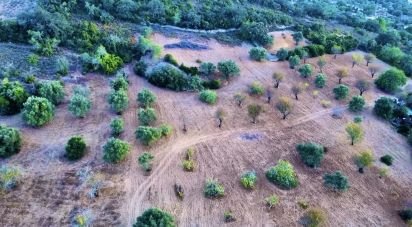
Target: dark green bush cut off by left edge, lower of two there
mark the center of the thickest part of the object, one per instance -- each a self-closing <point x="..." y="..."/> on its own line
<point x="10" y="141"/>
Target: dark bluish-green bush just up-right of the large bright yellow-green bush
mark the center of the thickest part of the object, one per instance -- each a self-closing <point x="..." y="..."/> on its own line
<point x="311" y="153"/>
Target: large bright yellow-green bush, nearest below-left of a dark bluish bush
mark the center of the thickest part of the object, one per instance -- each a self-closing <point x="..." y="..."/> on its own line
<point x="283" y="175"/>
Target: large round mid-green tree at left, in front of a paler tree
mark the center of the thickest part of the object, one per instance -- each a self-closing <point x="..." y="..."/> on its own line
<point x="37" y="111"/>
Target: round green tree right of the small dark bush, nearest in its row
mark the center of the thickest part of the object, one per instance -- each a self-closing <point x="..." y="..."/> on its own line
<point x="115" y="150"/>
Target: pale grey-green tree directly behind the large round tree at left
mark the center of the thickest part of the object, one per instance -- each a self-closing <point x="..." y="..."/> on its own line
<point x="51" y="90"/>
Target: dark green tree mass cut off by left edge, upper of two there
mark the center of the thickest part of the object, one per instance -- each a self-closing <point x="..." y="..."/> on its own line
<point x="12" y="97"/>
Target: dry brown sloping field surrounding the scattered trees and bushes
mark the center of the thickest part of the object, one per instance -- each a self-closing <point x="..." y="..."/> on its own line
<point x="51" y="191"/>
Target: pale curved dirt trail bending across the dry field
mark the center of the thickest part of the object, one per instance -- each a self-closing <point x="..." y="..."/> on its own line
<point x="173" y="148"/>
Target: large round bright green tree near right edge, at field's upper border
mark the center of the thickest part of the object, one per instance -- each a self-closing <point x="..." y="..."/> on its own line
<point x="391" y="80"/>
